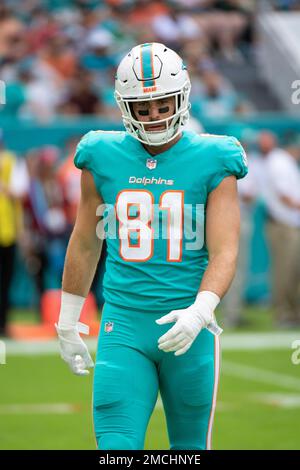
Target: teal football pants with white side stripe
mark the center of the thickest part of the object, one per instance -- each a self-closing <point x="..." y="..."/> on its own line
<point x="129" y="372"/>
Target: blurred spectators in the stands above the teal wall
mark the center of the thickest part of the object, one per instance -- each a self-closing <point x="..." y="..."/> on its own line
<point x="59" y="57"/>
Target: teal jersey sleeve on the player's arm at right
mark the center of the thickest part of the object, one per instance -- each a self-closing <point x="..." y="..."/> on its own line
<point x="231" y="159"/>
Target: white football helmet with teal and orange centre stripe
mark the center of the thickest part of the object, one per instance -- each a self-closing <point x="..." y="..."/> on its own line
<point x="153" y="71"/>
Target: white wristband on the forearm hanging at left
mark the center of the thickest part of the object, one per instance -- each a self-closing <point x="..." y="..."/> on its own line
<point x="70" y="310"/>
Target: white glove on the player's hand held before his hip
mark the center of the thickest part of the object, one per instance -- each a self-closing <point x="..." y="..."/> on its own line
<point x="189" y="323"/>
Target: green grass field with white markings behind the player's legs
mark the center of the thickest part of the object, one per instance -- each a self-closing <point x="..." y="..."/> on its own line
<point x="43" y="406"/>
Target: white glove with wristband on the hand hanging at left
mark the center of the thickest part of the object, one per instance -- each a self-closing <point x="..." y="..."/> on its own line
<point x="72" y="349"/>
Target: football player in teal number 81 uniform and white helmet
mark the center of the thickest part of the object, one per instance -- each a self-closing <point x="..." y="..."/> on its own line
<point x="161" y="286"/>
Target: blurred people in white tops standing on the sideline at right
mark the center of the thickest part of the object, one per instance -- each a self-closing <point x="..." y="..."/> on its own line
<point x="273" y="182"/>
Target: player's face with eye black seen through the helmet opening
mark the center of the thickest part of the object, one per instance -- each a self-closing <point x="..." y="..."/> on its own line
<point x="154" y="110"/>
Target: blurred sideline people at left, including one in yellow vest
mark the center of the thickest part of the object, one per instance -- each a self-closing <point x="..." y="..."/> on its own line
<point x="38" y="205"/>
